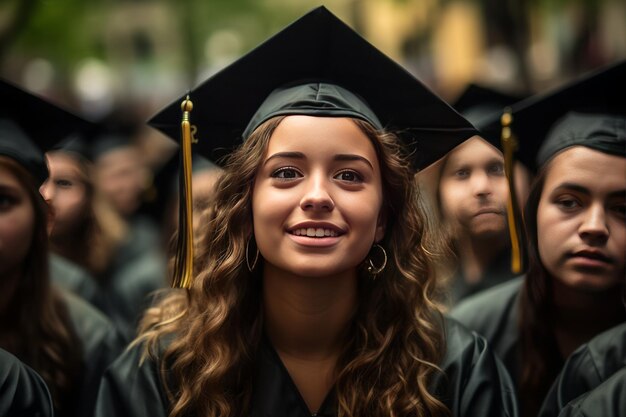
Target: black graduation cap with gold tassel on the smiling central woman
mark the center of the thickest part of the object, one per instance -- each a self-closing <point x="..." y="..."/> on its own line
<point x="316" y="66"/>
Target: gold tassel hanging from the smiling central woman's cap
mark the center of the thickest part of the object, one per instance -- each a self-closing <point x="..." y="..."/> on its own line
<point x="183" y="263"/>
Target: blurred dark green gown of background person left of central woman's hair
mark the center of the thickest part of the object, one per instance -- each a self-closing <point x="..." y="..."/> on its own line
<point x="137" y="271"/>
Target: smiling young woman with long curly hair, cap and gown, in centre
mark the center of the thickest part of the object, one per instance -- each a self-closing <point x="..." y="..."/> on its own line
<point x="312" y="293"/>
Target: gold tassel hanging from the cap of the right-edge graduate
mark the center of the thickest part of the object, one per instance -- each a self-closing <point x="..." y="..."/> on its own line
<point x="509" y="146"/>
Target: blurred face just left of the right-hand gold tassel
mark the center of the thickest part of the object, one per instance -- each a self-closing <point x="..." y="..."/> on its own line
<point x="473" y="189"/>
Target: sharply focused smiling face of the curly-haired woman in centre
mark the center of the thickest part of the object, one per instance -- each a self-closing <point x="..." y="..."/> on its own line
<point x="317" y="197"/>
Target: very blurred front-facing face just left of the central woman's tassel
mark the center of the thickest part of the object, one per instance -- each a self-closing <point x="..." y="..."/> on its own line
<point x="121" y="175"/>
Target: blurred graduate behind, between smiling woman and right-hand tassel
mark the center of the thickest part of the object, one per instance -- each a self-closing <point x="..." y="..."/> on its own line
<point x="468" y="194"/>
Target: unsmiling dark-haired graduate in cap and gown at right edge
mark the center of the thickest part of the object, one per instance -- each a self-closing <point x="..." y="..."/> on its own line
<point x="576" y="230"/>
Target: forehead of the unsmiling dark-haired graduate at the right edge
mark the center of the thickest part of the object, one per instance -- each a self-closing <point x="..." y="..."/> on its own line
<point x="592" y="169"/>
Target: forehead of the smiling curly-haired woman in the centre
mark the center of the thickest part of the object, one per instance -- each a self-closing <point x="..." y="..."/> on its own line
<point x="319" y="136"/>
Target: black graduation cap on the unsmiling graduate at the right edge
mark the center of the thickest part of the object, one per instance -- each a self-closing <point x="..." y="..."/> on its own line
<point x="562" y="117"/>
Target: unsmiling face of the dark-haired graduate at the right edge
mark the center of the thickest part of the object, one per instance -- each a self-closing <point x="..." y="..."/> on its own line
<point x="581" y="225"/>
